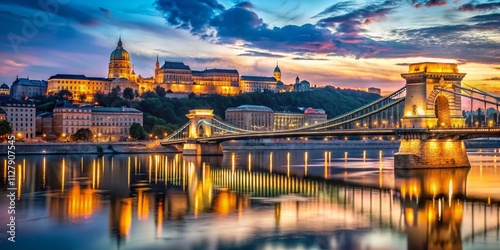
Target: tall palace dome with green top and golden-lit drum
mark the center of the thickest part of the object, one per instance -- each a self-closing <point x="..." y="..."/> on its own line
<point x="119" y="62"/>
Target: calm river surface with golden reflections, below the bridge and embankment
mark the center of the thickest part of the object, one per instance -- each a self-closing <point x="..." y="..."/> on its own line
<point x="254" y="200"/>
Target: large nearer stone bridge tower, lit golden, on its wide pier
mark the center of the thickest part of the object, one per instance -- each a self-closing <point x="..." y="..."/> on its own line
<point x="427" y="107"/>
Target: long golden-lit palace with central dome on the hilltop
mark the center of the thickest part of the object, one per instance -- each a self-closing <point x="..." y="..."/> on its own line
<point x="175" y="77"/>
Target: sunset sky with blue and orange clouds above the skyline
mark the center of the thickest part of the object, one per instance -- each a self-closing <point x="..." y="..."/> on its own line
<point x="349" y="44"/>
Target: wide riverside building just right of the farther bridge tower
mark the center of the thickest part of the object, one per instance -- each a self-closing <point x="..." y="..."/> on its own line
<point x="251" y="117"/>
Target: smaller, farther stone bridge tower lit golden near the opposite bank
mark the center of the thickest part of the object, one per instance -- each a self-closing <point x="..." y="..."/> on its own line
<point x="200" y="121"/>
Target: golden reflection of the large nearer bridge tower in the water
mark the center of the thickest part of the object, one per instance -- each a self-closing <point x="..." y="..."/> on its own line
<point x="432" y="202"/>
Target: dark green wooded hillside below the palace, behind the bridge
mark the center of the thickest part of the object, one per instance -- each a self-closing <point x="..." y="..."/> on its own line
<point x="162" y="111"/>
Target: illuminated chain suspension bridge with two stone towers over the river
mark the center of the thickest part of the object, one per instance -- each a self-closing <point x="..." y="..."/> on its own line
<point x="426" y="114"/>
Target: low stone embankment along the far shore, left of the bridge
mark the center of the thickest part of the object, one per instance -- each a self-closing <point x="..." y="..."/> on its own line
<point x="88" y="148"/>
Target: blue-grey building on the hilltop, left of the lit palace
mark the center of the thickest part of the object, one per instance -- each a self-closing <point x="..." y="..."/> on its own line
<point x="24" y="87"/>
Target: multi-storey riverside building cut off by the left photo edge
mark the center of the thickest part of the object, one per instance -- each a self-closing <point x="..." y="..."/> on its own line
<point x="21" y="116"/>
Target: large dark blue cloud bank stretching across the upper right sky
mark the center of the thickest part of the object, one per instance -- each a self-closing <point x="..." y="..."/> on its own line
<point x="340" y="31"/>
